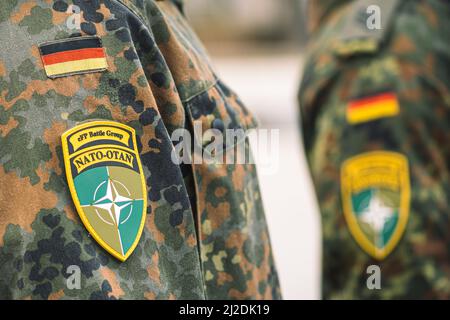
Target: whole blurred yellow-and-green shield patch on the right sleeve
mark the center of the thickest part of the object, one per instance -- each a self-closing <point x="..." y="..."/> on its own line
<point x="375" y="190"/>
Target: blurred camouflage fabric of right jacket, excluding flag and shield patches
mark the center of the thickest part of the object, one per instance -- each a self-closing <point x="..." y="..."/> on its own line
<point x="410" y="58"/>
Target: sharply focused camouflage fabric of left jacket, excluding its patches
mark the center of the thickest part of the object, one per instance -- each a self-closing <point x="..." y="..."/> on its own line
<point x="205" y="233"/>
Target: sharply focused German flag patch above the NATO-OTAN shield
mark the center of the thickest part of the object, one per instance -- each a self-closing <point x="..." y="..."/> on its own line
<point x="73" y="56"/>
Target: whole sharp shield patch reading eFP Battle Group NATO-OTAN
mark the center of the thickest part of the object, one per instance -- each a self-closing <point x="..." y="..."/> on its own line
<point x="107" y="184"/>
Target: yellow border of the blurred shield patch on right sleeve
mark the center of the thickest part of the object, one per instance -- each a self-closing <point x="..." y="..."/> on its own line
<point x="405" y="194"/>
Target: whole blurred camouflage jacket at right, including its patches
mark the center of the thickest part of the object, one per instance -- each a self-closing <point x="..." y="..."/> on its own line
<point x="375" y="115"/>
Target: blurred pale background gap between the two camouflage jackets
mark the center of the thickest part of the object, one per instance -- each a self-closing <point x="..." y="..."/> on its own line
<point x="257" y="48"/>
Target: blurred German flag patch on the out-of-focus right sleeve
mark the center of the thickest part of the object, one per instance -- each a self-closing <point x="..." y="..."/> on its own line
<point x="372" y="108"/>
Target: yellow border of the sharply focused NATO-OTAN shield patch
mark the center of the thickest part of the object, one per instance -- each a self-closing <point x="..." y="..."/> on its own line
<point x="74" y="195"/>
